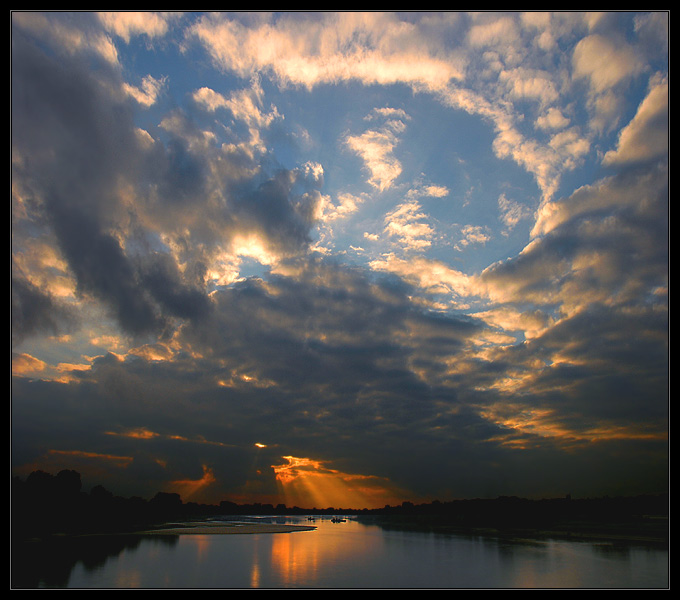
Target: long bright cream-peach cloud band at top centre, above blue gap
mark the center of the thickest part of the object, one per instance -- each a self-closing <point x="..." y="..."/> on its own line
<point x="331" y="47"/>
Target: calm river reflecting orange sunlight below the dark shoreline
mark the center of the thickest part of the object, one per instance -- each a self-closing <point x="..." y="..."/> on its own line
<point x="345" y="555"/>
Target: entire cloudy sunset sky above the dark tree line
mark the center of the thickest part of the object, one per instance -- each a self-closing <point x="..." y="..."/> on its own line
<point x="341" y="259"/>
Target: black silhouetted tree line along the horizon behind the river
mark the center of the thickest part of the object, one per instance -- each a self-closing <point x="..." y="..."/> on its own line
<point x="45" y="504"/>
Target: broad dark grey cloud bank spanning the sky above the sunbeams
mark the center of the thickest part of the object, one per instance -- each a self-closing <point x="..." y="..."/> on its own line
<point x="324" y="362"/>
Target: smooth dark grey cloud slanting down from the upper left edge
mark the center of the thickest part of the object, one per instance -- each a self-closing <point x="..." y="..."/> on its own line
<point x="74" y="144"/>
